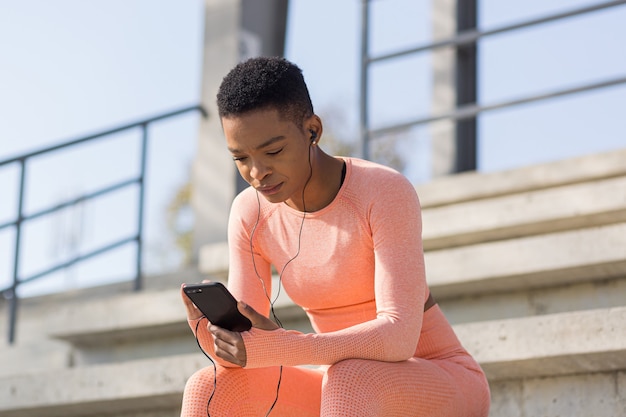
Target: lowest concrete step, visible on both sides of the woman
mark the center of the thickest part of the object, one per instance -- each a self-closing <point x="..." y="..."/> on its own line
<point x="511" y="352"/>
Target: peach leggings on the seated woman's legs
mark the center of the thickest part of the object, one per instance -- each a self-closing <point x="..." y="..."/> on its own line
<point x="353" y="387"/>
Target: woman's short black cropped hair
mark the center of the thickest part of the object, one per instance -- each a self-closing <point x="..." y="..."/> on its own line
<point x="265" y="83"/>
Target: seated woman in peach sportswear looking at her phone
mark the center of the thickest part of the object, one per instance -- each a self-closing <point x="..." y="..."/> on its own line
<point x="345" y="236"/>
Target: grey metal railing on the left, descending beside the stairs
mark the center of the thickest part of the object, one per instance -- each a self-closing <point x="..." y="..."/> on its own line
<point x="10" y="293"/>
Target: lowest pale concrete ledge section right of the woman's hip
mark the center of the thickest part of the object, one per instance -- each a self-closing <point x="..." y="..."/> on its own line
<point x="558" y="344"/>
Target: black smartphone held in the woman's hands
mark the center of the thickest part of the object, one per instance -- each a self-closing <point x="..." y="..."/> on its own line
<point x="218" y="305"/>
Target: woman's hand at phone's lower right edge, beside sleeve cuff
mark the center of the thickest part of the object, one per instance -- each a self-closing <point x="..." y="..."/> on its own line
<point x="229" y="345"/>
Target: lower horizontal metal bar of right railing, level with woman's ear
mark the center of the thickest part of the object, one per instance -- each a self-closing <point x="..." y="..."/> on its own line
<point x="472" y="110"/>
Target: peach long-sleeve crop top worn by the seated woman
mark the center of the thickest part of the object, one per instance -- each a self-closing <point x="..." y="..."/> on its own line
<point x="359" y="274"/>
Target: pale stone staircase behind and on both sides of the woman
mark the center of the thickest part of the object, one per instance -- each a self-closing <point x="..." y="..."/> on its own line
<point x="529" y="265"/>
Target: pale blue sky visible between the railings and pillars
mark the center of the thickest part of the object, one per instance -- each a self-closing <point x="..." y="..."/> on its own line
<point x="73" y="67"/>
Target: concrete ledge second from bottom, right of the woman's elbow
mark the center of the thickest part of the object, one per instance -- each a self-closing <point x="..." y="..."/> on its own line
<point x="530" y="262"/>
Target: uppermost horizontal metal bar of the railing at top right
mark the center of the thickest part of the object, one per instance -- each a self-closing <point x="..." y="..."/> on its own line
<point x="471" y="36"/>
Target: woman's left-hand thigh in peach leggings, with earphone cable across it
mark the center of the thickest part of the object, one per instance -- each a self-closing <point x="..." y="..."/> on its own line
<point x="251" y="392"/>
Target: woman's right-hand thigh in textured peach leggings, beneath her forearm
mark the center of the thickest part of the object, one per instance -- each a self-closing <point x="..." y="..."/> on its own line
<point x="416" y="387"/>
